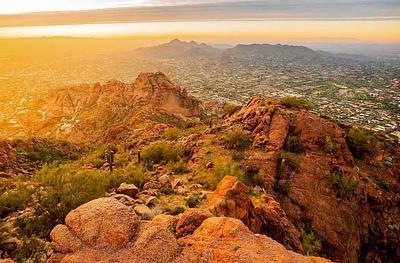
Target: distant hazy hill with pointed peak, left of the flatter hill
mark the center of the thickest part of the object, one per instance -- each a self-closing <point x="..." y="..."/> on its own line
<point x="178" y="49"/>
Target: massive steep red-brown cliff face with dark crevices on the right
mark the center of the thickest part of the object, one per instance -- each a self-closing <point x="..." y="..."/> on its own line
<point x="297" y="153"/>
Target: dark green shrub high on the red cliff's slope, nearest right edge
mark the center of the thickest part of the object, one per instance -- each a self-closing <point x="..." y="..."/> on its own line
<point x="359" y="142"/>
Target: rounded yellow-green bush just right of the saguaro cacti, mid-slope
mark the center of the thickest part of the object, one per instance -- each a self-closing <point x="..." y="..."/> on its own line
<point x="160" y="151"/>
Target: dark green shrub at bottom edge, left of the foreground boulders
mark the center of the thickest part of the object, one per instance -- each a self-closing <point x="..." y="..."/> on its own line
<point x="32" y="250"/>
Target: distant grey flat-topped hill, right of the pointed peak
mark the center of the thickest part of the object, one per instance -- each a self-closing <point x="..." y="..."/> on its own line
<point x="270" y="51"/>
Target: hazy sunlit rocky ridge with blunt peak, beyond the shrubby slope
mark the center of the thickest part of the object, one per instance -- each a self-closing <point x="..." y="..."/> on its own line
<point x="152" y="90"/>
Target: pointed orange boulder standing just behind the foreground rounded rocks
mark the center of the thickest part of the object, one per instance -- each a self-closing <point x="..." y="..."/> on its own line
<point x="231" y="199"/>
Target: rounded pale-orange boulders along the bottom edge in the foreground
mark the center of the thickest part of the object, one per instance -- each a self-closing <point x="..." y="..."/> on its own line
<point x="105" y="230"/>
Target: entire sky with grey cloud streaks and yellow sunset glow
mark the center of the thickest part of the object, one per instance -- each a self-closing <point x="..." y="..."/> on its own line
<point x="375" y="21"/>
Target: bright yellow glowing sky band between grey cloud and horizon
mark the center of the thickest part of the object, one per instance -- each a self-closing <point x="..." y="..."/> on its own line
<point x="385" y="31"/>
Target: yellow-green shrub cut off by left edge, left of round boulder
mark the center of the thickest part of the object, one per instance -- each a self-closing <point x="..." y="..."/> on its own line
<point x="16" y="199"/>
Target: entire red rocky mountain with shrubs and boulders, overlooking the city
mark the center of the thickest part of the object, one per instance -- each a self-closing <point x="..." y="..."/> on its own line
<point x="139" y="173"/>
